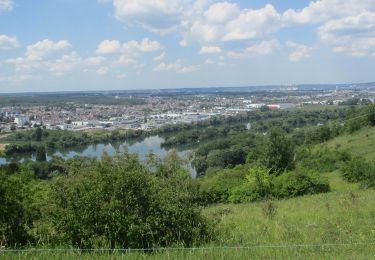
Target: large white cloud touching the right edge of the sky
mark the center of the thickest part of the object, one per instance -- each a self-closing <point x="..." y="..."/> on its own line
<point x="352" y="35"/>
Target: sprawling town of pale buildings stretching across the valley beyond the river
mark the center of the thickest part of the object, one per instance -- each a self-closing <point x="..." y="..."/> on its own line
<point x="155" y="110"/>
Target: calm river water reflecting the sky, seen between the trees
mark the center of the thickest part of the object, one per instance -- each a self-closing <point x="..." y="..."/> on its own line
<point x="141" y="147"/>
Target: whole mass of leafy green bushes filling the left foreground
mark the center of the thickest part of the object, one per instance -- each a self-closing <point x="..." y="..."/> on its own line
<point x="111" y="203"/>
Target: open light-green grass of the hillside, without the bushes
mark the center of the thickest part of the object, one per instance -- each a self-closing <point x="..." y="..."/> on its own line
<point x="340" y="224"/>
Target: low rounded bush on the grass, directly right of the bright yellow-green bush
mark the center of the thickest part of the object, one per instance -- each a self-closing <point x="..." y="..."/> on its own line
<point x="299" y="182"/>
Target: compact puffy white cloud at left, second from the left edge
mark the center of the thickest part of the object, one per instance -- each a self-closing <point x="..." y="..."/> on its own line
<point x="42" y="49"/>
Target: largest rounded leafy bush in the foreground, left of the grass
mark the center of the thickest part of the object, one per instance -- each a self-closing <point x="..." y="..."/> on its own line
<point x="119" y="203"/>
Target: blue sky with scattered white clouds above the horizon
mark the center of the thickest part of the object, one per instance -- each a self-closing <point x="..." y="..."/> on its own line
<point x="71" y="45"/>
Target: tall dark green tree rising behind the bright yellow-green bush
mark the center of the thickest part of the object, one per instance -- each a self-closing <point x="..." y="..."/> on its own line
<point x="279" y="152"/>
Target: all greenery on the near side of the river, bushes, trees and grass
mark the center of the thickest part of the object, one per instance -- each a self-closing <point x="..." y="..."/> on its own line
<point x="304" y="189"/>
